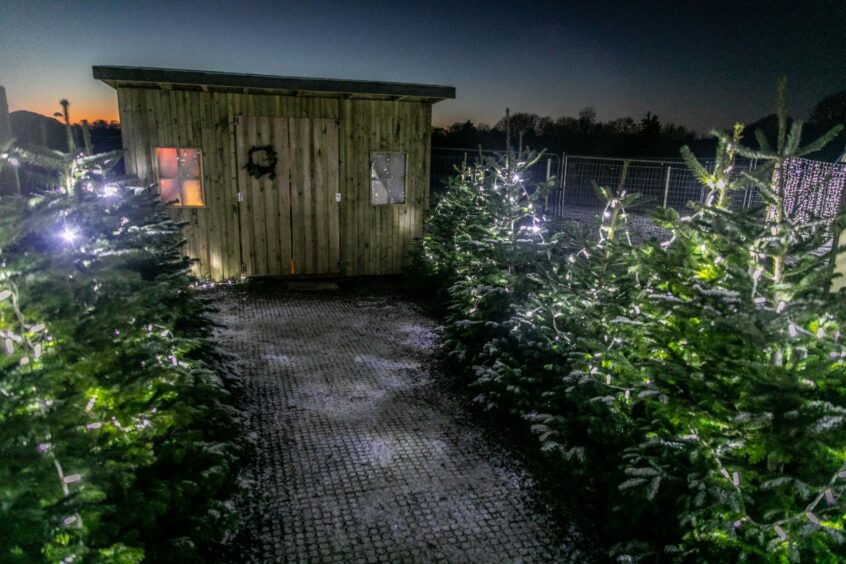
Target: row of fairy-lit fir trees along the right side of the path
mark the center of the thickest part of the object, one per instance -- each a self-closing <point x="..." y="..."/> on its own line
<point x="695" y="385"/>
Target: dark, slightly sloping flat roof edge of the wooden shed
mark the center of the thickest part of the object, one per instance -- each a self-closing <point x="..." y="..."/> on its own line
<point x="146" y="77"/>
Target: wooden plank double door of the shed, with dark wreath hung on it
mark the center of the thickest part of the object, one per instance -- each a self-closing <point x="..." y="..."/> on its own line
<point x="289" y="224"/>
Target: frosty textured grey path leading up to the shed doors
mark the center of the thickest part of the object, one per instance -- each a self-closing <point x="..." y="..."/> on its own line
<point x="361" y="455"/>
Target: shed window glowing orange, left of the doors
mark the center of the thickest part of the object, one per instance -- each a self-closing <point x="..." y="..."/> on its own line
<point x="180" y="176"/>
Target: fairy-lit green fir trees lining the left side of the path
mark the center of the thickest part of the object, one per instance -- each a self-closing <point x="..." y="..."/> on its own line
<point x="119" y="435"/>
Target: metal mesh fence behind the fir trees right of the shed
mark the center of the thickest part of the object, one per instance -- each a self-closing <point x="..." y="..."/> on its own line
<point x="814" y="188"/>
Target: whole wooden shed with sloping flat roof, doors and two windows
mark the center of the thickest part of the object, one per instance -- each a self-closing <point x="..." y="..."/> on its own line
<point x="281" y="175"/>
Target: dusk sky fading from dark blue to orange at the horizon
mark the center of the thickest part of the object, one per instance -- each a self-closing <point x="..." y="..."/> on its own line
<point x="703" y="64"/>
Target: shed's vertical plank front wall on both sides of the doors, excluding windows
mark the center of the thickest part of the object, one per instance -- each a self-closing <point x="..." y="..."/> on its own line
<point x="374" y="239"/>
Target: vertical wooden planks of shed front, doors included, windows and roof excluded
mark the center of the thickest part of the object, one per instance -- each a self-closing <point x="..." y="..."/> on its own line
<point x="224" y="234"/>
